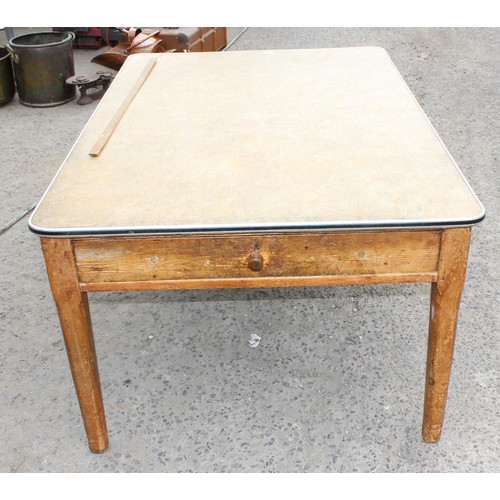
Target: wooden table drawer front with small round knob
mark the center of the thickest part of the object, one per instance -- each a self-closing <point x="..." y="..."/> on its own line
<point x="209" y="257"/>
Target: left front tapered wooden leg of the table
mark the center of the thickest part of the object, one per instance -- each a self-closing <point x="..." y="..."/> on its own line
<point x="74" y="315"/>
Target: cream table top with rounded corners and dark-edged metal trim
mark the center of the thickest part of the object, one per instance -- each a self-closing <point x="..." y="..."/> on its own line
<point x="256" y="140"/>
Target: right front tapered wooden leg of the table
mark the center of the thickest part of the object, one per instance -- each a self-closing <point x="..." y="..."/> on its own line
<point x="445" y="302"/>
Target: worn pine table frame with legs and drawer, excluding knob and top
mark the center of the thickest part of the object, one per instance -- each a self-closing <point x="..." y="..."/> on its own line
<point x="77" y="266"/>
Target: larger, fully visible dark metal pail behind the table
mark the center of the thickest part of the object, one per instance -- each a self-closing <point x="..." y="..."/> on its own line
<point x="42" y="63"/>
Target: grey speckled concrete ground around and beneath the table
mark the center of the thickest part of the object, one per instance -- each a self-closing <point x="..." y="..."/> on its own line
<point x="336" y="383"/>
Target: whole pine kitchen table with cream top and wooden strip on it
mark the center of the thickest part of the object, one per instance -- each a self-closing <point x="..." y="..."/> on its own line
<point x="249" y="169"/>
